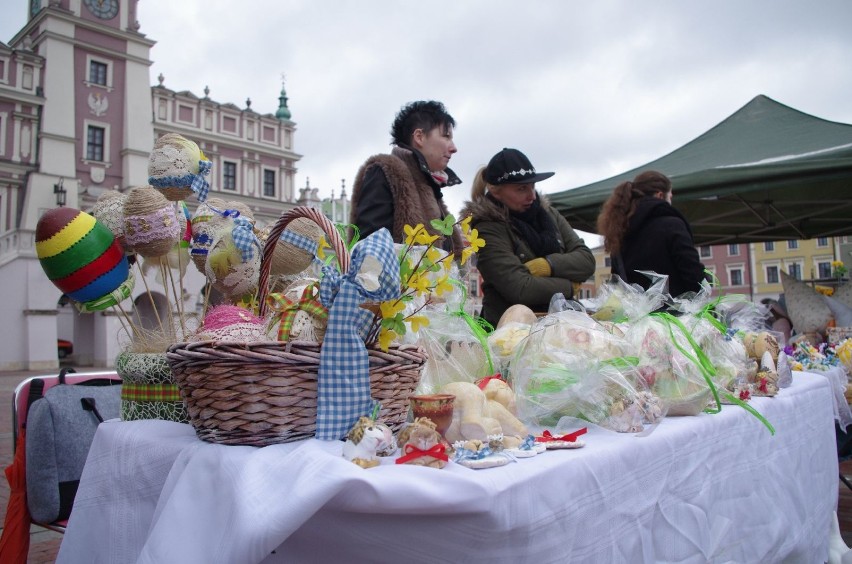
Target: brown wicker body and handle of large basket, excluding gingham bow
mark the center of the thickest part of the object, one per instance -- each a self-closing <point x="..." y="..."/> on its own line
<point x="264" y="393"/>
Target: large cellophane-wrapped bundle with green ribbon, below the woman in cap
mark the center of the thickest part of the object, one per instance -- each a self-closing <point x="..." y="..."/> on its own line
<point x="571" y="366"/>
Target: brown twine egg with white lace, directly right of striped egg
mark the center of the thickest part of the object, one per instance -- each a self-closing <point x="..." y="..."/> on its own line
<point x="151" y="227"/>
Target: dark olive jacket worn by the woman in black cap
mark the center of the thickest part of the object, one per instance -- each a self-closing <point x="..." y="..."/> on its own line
<point x="506" y="281"/>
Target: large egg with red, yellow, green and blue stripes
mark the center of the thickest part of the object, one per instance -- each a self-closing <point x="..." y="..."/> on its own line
<point x="79" y="254"/>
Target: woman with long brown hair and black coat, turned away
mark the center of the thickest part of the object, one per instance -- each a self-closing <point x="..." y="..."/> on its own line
<point x="642" y="231"/>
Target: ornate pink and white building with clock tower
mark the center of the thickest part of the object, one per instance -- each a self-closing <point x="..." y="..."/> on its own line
<point x="78" y="116"/>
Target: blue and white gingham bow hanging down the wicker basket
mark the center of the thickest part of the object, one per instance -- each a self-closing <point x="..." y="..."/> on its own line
<point x="344" y="372"/>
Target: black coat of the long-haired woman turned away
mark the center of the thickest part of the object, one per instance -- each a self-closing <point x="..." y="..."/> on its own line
<point x="659" y="239"/>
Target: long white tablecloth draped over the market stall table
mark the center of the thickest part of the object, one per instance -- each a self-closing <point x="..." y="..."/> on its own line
<point x="711" y="488"/>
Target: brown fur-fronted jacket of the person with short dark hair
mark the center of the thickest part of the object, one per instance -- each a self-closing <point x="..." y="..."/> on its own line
<point x="396" y="190"/>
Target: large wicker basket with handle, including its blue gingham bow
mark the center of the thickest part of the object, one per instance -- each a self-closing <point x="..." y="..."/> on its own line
<point x="267" y="392"/>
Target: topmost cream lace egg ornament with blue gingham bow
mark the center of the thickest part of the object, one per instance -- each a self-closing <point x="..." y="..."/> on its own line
<point x="177" y="167"/>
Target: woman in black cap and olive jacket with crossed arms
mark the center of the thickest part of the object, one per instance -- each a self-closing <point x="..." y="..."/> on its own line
<point x="530" y="252"/>
